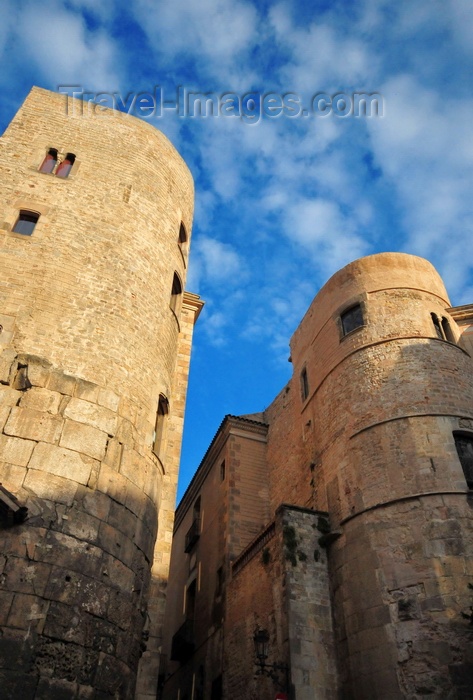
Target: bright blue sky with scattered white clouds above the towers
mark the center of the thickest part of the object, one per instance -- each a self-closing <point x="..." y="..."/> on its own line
<point x="286" y="192"/>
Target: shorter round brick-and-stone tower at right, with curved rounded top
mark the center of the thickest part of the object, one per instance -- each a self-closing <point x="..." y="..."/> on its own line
<point x="388" y="392"/>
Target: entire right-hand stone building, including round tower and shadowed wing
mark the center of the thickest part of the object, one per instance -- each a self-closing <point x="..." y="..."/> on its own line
<point x="335" y="529"/>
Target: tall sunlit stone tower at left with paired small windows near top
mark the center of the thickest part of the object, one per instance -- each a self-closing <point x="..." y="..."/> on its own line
<point x="95" y="336"/>
